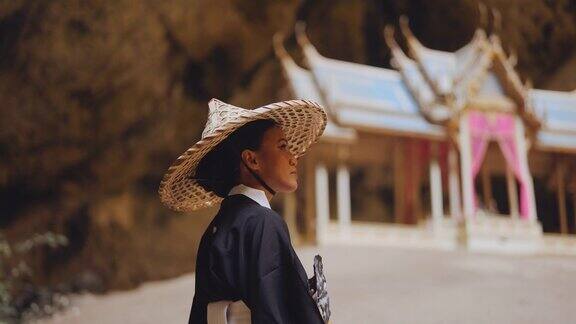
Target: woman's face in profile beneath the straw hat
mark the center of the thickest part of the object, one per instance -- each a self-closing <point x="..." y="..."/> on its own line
<point x="276" y="164"/>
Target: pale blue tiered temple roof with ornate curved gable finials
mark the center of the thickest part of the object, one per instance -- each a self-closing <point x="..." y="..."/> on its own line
<point x="428" y="90"/>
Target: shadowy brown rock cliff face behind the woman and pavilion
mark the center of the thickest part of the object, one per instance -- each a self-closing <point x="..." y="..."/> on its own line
<point x="99" y="97"/>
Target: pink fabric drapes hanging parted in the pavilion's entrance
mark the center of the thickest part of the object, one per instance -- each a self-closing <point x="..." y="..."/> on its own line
<point x="499" y="127"/>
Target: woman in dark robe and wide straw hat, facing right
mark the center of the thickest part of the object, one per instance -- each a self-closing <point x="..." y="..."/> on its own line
<point x="243" y="159"/>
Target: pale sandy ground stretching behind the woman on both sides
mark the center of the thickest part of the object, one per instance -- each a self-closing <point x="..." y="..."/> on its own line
<point x="385" y="285"/>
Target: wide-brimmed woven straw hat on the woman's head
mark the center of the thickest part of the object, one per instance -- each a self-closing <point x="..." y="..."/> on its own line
<point x="302" y="121"/>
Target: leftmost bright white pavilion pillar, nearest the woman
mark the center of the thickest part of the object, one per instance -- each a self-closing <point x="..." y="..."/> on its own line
<point x="322" y="202"/>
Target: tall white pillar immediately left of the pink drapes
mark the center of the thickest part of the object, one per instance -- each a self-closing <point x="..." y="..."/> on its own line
<point x="466" y="167"/>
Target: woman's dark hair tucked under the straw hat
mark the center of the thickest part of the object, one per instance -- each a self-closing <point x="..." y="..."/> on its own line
<point x="219" y="170"/>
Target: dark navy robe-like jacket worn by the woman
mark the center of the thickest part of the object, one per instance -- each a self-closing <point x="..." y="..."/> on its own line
<point x="246" y="254"/>
